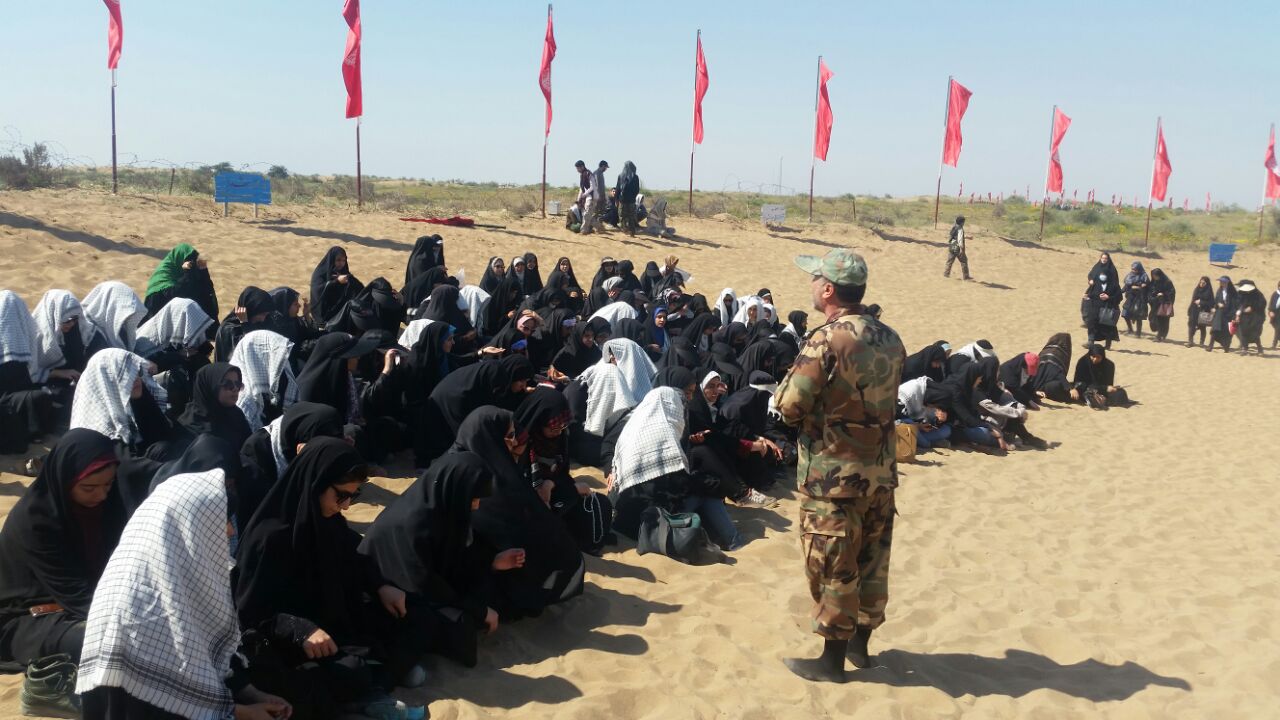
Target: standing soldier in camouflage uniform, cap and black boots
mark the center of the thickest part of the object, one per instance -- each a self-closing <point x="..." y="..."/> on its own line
<point x="842" y="395"/>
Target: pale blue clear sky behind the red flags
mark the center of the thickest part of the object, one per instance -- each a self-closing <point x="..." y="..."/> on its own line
<point x="451" y="90"/>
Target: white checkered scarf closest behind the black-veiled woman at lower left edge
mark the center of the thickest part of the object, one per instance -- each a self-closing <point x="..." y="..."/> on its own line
<point x="102" y="400"/>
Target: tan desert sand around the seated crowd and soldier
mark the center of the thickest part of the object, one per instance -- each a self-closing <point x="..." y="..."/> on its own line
<point x="1128" y="573"/>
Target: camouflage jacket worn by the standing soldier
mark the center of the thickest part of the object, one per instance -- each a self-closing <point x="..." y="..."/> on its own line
<point x="842" y="394"/>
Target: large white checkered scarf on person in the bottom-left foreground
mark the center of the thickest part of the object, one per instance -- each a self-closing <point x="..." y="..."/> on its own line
<point x="163" y="623"/>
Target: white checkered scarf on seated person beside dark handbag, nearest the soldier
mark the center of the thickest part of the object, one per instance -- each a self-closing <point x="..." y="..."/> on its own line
<point x="650" y="445"/>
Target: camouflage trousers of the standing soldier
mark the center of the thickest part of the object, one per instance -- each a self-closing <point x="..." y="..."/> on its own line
<point x="847" y="548"/>
